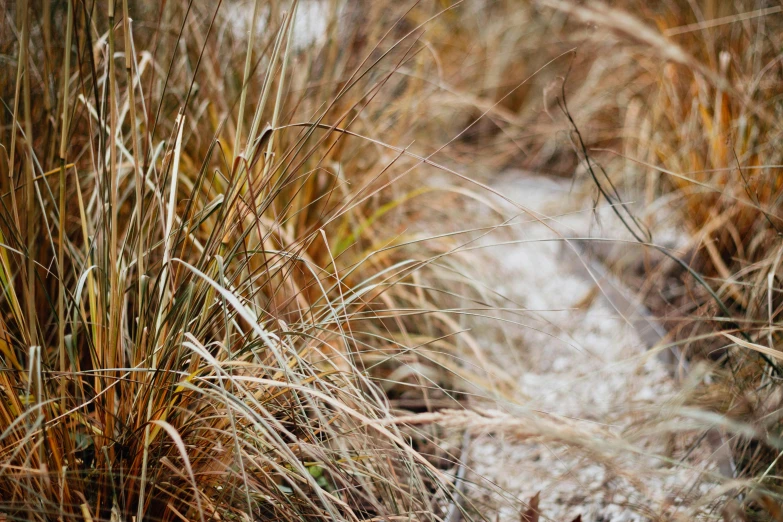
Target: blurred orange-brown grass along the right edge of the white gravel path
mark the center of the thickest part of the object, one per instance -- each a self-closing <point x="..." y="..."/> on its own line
<point x="678" y="103"/>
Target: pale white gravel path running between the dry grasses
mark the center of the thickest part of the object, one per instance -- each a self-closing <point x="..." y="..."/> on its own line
<point x="579" y="356"/>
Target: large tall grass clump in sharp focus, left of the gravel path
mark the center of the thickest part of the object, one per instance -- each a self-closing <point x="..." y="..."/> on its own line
<point x="201" y="284"/>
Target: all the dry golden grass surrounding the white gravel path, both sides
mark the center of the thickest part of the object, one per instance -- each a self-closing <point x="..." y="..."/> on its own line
<point x="221" y="297"/>
